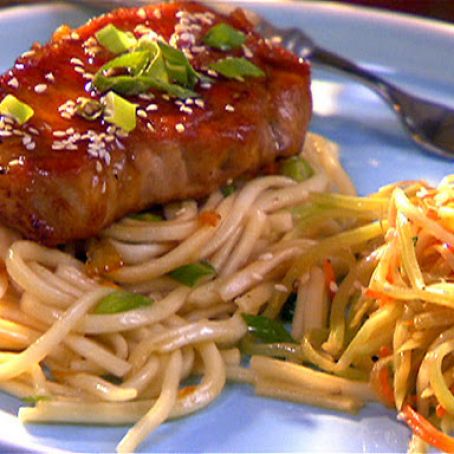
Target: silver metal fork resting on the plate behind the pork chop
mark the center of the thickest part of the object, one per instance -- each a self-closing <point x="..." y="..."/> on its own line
<point x="430" y="125"/>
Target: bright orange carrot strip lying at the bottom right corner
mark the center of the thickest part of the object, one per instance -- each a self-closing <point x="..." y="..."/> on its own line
<point x="426" y="431"/>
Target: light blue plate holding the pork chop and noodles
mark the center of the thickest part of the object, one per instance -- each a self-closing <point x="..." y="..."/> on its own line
<point x="414" y="53"/>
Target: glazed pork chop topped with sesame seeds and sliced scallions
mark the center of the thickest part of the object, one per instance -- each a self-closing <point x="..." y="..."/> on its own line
<point x="138" y="107"/>
